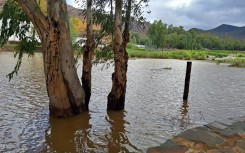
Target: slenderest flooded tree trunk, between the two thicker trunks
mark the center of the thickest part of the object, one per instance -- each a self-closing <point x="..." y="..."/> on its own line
<point x="88" y="55"/>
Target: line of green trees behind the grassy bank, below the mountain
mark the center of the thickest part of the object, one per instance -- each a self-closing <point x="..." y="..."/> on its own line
<point x="163" y="36"/>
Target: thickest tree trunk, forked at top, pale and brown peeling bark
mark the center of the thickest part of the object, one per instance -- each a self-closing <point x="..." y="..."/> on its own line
<point x="66" y="95"/>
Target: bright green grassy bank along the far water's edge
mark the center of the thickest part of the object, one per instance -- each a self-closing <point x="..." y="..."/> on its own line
<point x="220" y="56"/>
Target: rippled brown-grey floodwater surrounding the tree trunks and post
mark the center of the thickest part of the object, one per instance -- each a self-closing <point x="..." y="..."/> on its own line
<point x="154" y="109"/>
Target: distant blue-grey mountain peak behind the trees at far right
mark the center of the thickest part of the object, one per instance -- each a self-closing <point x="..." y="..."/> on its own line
<point x="226" y="30"/>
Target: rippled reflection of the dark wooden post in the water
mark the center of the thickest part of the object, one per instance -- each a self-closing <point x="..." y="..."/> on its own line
<point x="185" y="119"/>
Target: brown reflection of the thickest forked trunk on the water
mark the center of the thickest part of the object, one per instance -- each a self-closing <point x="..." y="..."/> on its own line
<point x="69" y="135"/>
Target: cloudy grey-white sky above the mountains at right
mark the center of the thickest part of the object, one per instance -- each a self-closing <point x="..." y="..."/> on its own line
<point x="204" y="14"/>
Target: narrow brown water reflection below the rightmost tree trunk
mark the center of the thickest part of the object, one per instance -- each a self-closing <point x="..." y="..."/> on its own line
<point x="117" y="138"/>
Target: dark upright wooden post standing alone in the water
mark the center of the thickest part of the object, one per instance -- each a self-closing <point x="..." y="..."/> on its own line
<point x="187" y="80"/>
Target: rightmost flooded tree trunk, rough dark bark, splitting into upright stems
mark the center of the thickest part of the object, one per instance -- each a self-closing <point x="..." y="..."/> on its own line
<point x="116" y="98"/>
